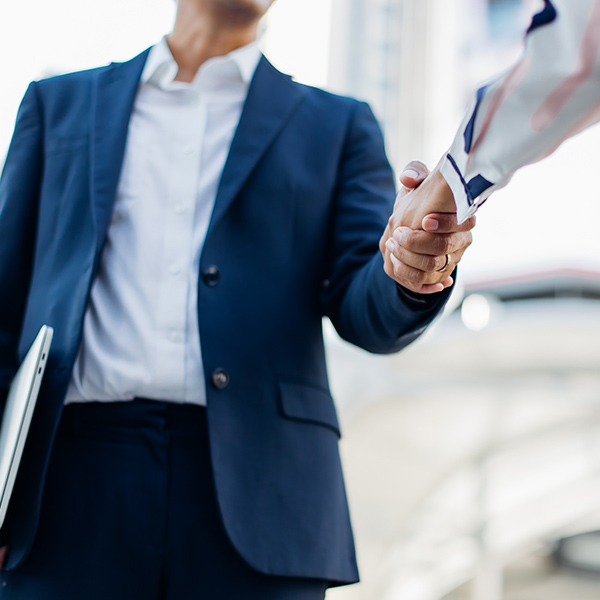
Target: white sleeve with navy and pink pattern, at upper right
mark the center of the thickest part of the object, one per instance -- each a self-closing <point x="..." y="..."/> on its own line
<point x="551" y="94"/>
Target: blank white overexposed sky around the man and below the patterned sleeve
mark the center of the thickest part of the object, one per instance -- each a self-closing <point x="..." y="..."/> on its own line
<point x="547" y="218"/>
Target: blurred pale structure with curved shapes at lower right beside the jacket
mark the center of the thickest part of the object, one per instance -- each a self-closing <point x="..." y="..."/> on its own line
<point x="470" y="454"/>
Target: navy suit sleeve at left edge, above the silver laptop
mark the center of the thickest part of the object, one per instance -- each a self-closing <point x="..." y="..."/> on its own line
<point x="19" y="192"/>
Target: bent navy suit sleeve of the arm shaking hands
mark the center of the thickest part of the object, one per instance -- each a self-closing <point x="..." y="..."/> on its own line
<point x="367" y="307"/>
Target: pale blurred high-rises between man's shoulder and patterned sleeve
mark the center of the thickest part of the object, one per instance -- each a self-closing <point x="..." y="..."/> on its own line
<point x="417" y="61"/>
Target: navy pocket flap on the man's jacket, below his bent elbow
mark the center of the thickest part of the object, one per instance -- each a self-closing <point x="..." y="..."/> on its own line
<point x="308" y="404"/>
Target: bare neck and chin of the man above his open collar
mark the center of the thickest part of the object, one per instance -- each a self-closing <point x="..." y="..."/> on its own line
<point x="205" y="29"/>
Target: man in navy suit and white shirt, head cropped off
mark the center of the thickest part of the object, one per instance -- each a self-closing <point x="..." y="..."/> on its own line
<point x="184" y="221"/>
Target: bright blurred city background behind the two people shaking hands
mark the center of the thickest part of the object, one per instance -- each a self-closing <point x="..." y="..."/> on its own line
<point x="472" y="458"/>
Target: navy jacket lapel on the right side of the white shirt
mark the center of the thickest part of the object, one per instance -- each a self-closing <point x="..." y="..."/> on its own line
<point x="271" y="100"/>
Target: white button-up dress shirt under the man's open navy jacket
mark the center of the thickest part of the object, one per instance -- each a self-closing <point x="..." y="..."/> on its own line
<point x="140" y="332"/>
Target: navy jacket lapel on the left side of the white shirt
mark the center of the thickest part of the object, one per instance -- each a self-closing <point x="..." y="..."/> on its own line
<point x="116" y="88"/>
